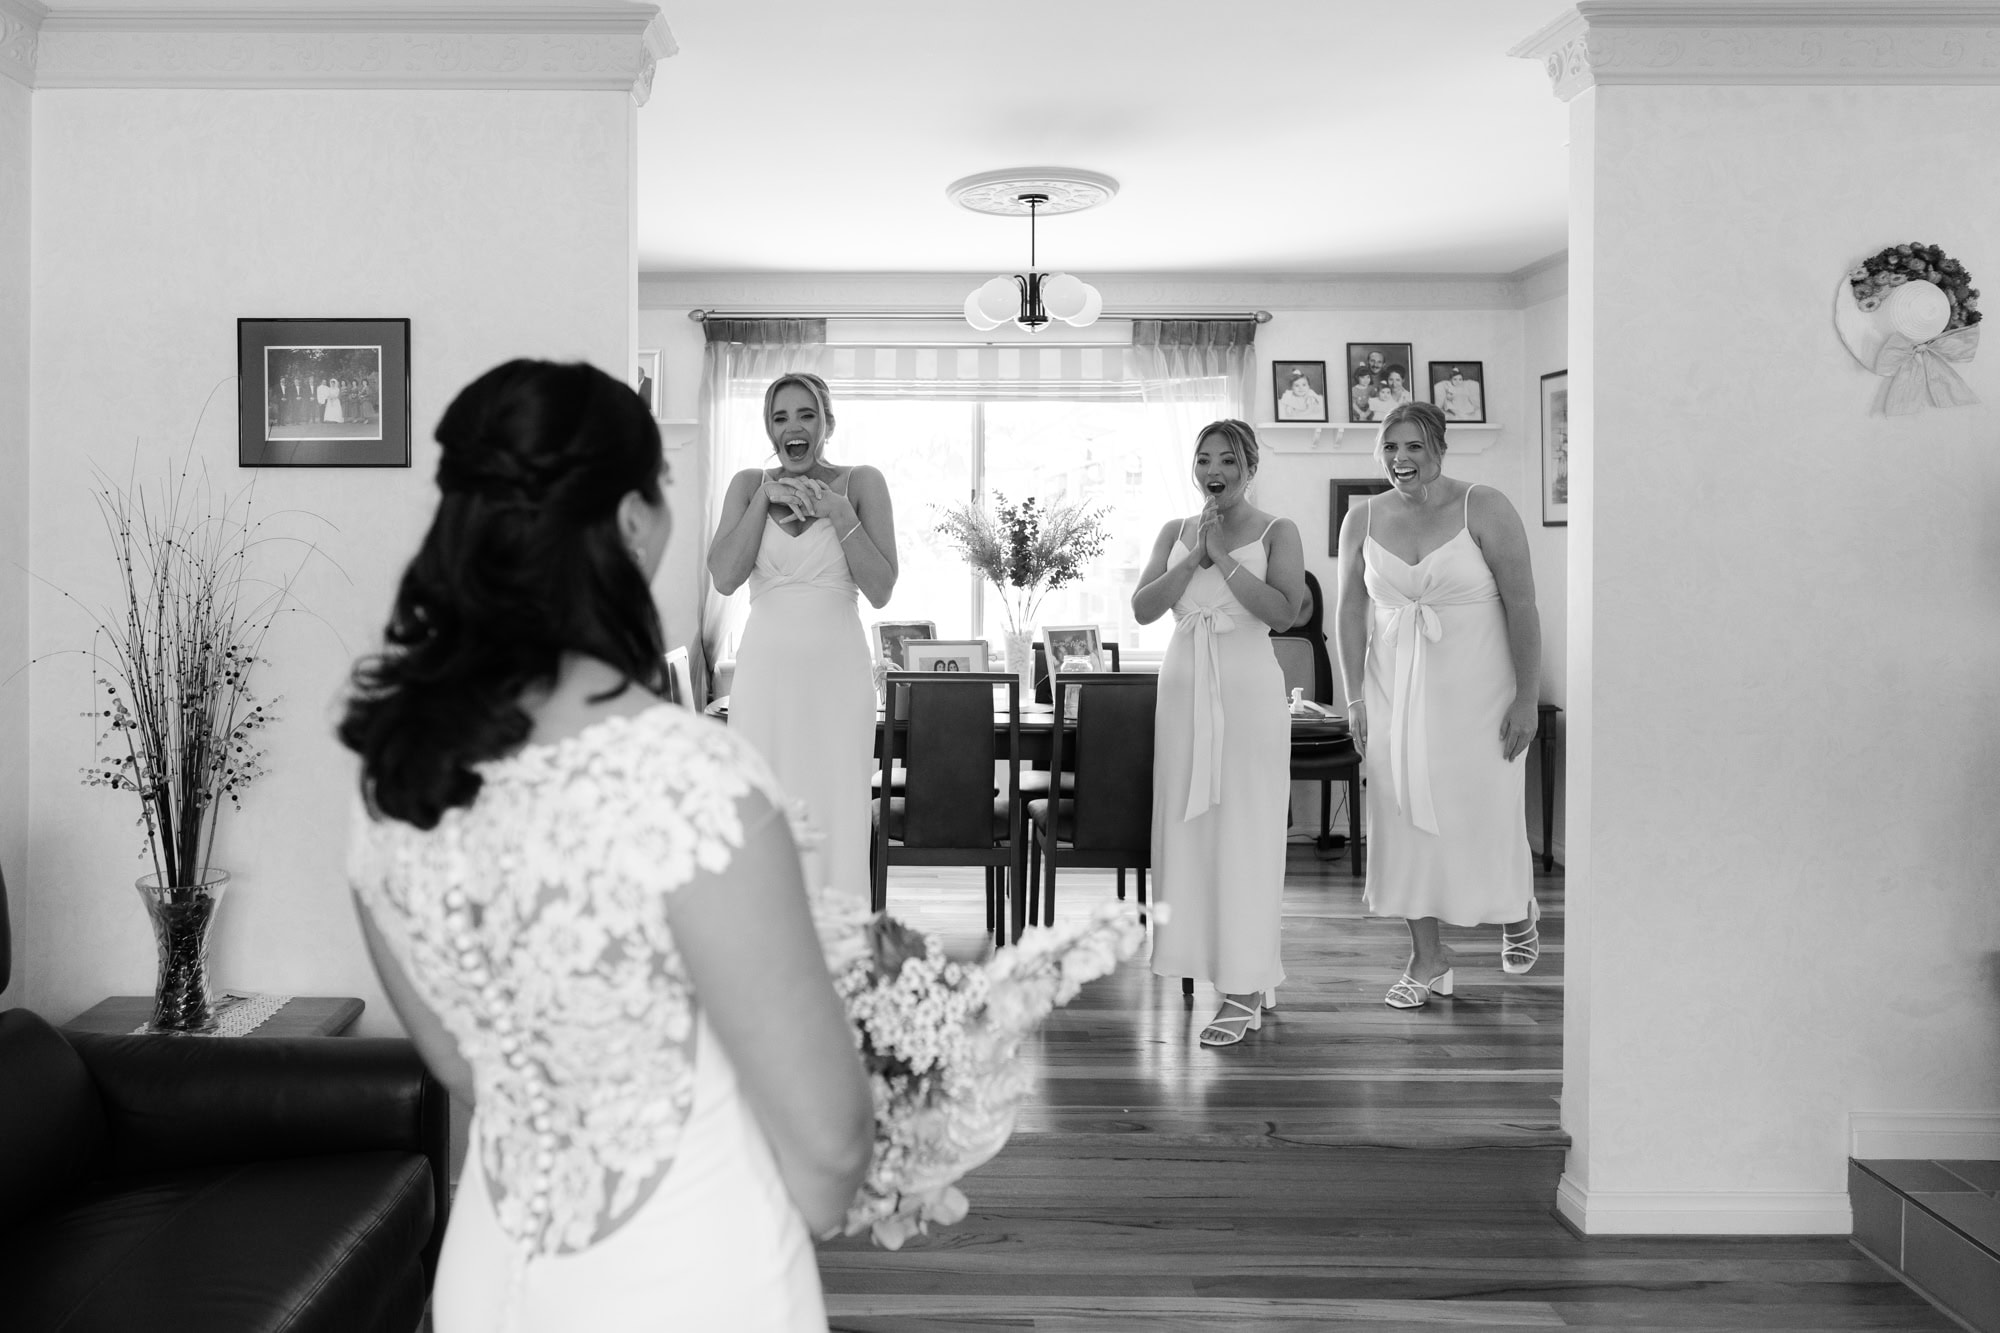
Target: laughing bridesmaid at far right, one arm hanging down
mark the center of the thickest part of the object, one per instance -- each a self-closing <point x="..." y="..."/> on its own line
<point x="1441" y="649"/>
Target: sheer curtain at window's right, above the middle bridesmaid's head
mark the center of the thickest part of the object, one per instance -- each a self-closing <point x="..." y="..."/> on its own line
<point x="1191" y="373"/>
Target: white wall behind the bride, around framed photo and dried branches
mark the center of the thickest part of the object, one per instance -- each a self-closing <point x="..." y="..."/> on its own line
<point x="501" y="223"/>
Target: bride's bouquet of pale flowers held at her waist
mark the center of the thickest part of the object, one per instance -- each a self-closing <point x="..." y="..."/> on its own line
<point x="941" y="1042"/>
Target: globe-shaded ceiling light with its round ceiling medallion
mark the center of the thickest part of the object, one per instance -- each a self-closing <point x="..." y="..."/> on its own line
<point x="1033" y="299"/>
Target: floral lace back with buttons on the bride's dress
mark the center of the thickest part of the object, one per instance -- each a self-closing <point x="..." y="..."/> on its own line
<point x="535" y="926"/>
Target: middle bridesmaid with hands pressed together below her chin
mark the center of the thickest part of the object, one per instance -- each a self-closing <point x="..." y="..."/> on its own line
<point x="1223" y="736"/>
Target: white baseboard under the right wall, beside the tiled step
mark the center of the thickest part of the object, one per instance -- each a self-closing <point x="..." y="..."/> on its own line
<point x="1705" y="1212"/>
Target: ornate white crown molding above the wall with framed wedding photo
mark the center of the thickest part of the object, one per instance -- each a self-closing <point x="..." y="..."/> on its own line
<point x="609" y="47"/>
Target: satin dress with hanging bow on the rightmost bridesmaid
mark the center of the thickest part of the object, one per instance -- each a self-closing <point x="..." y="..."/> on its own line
<point x="1447" y="814"/>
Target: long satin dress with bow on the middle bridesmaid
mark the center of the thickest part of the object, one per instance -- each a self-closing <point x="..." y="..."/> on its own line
<point x="1221" y="782"/>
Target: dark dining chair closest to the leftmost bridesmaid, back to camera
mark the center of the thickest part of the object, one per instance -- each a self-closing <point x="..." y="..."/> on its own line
<point x="957" y="750"/>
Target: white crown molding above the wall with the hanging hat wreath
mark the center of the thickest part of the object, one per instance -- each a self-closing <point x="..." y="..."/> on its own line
<point x="1769" y="43"/>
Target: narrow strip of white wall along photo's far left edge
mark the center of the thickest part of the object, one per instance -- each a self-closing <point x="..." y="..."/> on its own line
<point x="15" y="682"/>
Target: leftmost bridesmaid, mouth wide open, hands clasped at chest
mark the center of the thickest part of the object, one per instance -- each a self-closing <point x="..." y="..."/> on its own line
<point x="807" y="535"/>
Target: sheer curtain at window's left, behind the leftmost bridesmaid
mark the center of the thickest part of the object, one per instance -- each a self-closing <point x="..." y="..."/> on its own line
<point x="743" y="357"/>
